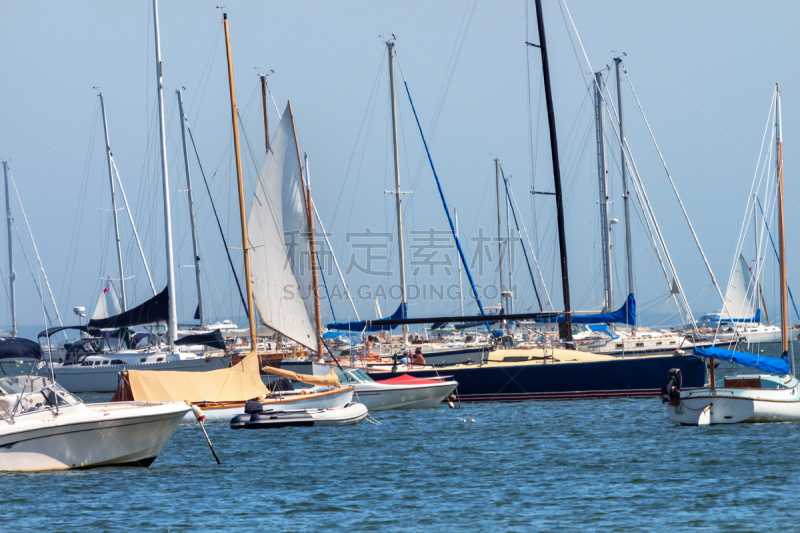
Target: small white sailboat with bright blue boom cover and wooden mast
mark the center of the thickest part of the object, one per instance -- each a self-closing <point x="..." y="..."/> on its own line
<point x="773" y="397"/>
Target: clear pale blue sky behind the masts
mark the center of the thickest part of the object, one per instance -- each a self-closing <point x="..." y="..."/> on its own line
<point x="704" y="74"/>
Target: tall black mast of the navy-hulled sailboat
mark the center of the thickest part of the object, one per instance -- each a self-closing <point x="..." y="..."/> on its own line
<point x="565" y="328"/>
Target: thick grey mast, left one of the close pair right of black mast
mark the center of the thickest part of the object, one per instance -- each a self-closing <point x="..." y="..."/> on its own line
<point x="602" y="175"/>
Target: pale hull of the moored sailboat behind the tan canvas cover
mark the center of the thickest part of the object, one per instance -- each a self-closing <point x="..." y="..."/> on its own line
<point x="106" y="378"/>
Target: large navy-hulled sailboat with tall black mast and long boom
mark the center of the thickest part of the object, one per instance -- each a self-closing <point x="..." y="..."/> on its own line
<point x="549" y="372"/>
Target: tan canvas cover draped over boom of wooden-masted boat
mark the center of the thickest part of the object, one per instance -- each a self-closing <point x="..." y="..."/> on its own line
<point x="238" y="383"/>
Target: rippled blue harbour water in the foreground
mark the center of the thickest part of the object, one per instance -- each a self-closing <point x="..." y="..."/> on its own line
<point x="617" y="465"/>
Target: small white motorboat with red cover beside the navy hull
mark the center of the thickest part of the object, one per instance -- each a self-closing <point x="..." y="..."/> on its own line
<point x="402" y="392"/>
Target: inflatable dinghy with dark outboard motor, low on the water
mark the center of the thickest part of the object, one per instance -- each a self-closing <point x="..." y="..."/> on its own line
<point x="255" y="418"/>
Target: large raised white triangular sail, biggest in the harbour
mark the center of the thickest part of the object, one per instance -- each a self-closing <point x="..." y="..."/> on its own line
<point x="279" y="237"/>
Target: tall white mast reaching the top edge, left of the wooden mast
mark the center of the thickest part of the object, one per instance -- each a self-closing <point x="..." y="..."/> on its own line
<point x="172" y="327"/>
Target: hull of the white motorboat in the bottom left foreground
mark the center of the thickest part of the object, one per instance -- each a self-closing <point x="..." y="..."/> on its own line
<point x="64" y="441"/>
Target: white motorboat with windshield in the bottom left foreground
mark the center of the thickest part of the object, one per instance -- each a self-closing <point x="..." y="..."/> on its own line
<point x="44" y="427"/>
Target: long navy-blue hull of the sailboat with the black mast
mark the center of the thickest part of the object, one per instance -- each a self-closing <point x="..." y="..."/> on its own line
<point x="622" y="378"/>
